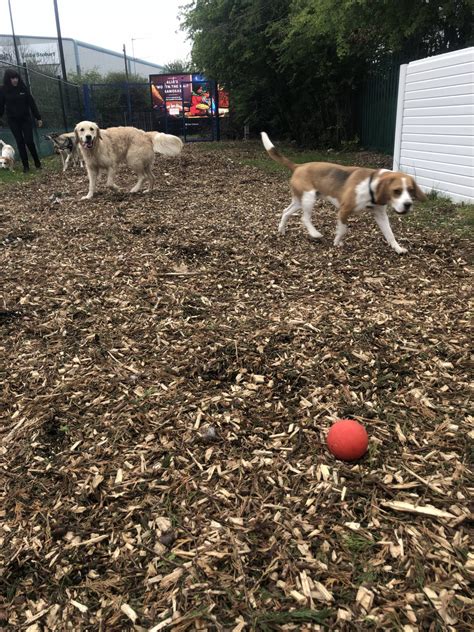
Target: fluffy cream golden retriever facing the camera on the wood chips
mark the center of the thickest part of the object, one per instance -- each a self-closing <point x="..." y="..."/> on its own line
<point x="106" y="149"/>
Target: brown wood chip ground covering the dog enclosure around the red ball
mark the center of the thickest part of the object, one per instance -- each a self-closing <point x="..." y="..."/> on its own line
<point x="170" y="367"/>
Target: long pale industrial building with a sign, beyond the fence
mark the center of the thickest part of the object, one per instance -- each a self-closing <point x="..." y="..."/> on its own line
<point x="79" y="56"/>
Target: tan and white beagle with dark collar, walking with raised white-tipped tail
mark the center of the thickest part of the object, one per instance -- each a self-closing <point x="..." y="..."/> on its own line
<point x="349" y="189"/>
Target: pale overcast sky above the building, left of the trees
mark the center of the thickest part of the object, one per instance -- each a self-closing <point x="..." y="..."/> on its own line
<point x="152" y="24"/>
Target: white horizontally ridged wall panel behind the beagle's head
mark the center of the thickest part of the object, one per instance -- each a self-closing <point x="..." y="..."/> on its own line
<point x="435" y="123"/>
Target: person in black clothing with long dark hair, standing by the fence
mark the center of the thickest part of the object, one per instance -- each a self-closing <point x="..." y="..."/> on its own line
<point x="16" y="100"/>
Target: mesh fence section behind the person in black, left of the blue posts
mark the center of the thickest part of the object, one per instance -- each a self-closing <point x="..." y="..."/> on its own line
<point x="59" y="102"/>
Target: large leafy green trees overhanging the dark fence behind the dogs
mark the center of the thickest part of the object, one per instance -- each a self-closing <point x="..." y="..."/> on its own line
<point x="293" y="66"/>
